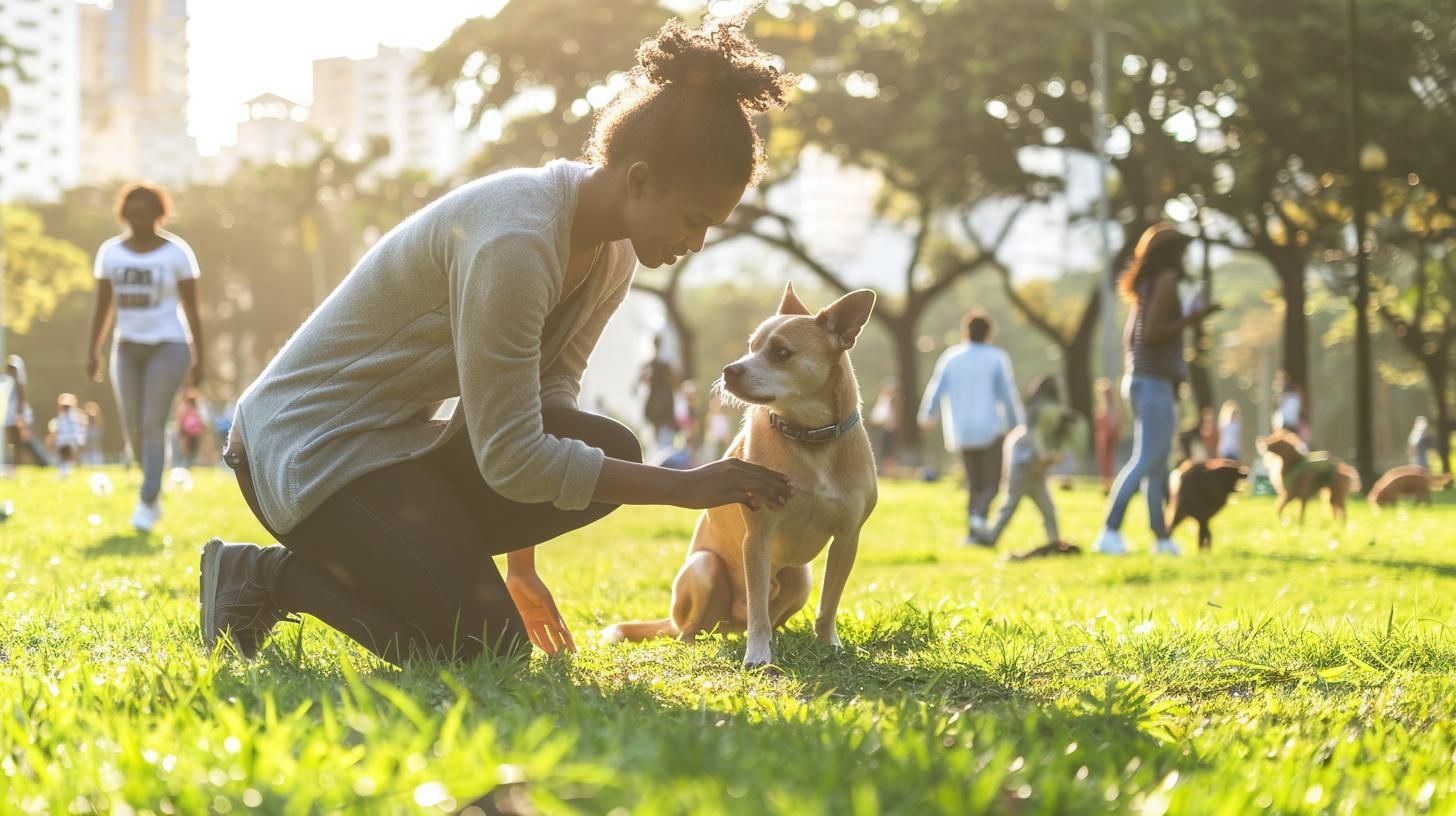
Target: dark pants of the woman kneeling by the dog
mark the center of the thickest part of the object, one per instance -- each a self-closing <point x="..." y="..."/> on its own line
<point x="400" y="560"/>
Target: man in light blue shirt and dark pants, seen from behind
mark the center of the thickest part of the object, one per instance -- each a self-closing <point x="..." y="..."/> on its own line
<point x="973" y="382"/>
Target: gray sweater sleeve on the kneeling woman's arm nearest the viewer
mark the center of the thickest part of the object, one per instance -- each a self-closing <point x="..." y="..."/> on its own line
<point x="500" y="298"/>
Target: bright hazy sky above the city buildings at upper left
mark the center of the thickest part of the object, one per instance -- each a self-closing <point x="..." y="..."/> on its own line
<point x="241" y="49"/>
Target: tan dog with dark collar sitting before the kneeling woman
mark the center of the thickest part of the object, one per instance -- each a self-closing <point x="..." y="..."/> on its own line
<point x="751" y="570"/>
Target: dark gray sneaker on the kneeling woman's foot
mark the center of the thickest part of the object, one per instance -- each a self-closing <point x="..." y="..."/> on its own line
<point x="235" y="597"/>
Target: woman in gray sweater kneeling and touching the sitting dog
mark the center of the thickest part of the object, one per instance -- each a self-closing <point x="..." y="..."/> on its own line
<point x="496" y="294"/>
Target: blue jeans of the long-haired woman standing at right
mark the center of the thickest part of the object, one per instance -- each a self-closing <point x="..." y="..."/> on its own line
<point x="1155" y="413"/>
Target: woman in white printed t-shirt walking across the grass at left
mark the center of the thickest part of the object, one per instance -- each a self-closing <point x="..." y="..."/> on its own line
<point x="148" y="280"/>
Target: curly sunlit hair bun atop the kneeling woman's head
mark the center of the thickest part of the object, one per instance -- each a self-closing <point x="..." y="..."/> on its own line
<point x="717" y="59"/>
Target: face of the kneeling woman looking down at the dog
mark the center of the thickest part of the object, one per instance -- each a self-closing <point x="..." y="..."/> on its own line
<point x="669" y="221"/>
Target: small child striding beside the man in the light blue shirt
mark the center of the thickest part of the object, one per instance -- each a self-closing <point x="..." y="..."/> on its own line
<point x="1032" y="451"/>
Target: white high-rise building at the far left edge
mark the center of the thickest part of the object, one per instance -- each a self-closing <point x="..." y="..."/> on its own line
<point x="40" y="135"/>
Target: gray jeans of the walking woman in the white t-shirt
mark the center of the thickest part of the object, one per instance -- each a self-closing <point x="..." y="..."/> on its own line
<point x="148" y="380"/>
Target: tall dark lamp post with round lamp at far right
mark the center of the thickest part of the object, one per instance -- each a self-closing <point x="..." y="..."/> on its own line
<point x="1364" y="160"/>
